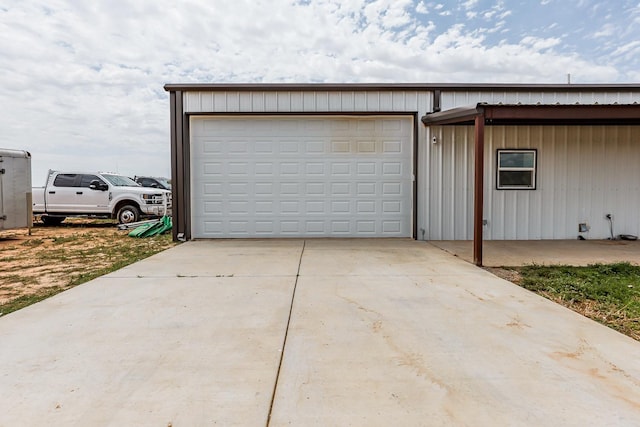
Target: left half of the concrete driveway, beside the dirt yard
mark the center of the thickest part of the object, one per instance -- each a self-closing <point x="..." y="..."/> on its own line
<point x="149" y="351"/>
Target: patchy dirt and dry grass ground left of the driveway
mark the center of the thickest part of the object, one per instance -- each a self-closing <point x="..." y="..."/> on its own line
<point x="55" y="258"/>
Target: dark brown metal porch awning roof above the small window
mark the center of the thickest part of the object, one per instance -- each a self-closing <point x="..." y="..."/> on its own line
<point x="538" y="114"/>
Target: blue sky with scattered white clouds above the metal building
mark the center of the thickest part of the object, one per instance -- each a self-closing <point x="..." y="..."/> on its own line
<point x="81" y="82"/>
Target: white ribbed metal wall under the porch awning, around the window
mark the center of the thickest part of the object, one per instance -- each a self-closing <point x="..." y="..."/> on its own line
<point x="584" y="173"/>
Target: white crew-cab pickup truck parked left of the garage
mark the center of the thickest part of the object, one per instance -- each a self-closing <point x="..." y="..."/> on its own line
<point x="102" y="195"/>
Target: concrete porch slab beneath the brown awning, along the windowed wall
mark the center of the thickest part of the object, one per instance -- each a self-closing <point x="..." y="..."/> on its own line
<point x="511" y="253"/>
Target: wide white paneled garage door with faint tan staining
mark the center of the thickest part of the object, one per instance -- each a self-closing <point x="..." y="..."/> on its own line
<point x="274" y="176"/>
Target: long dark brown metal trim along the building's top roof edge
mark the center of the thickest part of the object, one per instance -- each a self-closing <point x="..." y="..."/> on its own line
<point x="243" y="87"/>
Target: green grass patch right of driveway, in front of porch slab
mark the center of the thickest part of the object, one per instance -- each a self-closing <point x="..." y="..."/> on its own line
<point x="607" y="293"/>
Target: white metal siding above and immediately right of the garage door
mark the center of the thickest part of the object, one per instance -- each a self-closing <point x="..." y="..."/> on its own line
<point x="369" y="101"/>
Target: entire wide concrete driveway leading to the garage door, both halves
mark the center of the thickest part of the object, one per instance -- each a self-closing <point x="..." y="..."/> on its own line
<point x="315" y="332"/>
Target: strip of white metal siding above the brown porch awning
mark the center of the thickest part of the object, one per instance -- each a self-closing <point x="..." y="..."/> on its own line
<point x="452" y="99"/>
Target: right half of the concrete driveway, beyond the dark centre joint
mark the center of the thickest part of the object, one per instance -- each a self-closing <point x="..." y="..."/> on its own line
<point x="382" y="345"/>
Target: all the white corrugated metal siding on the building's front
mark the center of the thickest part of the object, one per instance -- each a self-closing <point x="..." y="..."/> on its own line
<point x="583" y="172"/>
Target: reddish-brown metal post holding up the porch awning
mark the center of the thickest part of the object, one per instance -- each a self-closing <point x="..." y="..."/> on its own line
<point x="478" y="194"/>
